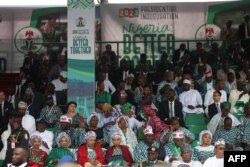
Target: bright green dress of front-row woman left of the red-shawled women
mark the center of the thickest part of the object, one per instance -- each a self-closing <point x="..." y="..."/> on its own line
<point x="56" y="154"/>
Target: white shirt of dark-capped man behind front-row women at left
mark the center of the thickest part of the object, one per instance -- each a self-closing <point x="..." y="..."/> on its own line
<point x="47" y="137"/>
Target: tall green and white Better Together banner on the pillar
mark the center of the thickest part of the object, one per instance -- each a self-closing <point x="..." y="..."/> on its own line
<point x="81" y="63"/>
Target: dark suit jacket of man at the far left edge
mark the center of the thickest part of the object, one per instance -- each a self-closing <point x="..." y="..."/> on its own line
<point x="7" y="107"/>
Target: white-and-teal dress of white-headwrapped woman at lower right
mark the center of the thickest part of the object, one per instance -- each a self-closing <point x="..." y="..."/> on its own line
<point x="204" y="153"/>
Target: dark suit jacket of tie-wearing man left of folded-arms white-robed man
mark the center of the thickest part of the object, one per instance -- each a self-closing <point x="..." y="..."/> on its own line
<point x="164" y="111"/>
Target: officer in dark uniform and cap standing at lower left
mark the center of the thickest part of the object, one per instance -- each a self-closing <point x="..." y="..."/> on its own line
<point x="19" y="137"/>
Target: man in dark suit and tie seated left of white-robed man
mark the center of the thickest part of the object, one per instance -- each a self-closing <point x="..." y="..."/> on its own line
<point x="171" y="108"/>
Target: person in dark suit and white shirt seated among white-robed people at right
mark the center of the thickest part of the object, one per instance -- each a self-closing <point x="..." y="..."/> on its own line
<point x="214" y="108"/>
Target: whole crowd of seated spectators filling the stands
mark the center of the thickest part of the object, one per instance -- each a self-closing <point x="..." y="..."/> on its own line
<point x="142" y="114"/>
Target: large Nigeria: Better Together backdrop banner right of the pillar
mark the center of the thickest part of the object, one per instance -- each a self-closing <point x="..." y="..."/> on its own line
<point x="154" y="24"/>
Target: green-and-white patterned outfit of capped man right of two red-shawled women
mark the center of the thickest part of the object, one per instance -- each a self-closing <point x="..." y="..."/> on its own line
<point x="141" y="153"/>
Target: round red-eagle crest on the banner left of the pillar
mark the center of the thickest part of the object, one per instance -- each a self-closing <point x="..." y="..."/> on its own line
<point x="28" y="39"/>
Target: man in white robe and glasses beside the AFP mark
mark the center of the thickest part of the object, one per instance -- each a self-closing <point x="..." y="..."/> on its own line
<point x="218" y="159"/>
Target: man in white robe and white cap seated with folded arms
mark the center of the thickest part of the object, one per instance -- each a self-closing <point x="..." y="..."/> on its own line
<point x="191" y="99"/>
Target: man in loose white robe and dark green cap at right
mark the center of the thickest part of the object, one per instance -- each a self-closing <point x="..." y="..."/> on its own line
<point x="217" y="121"/>
